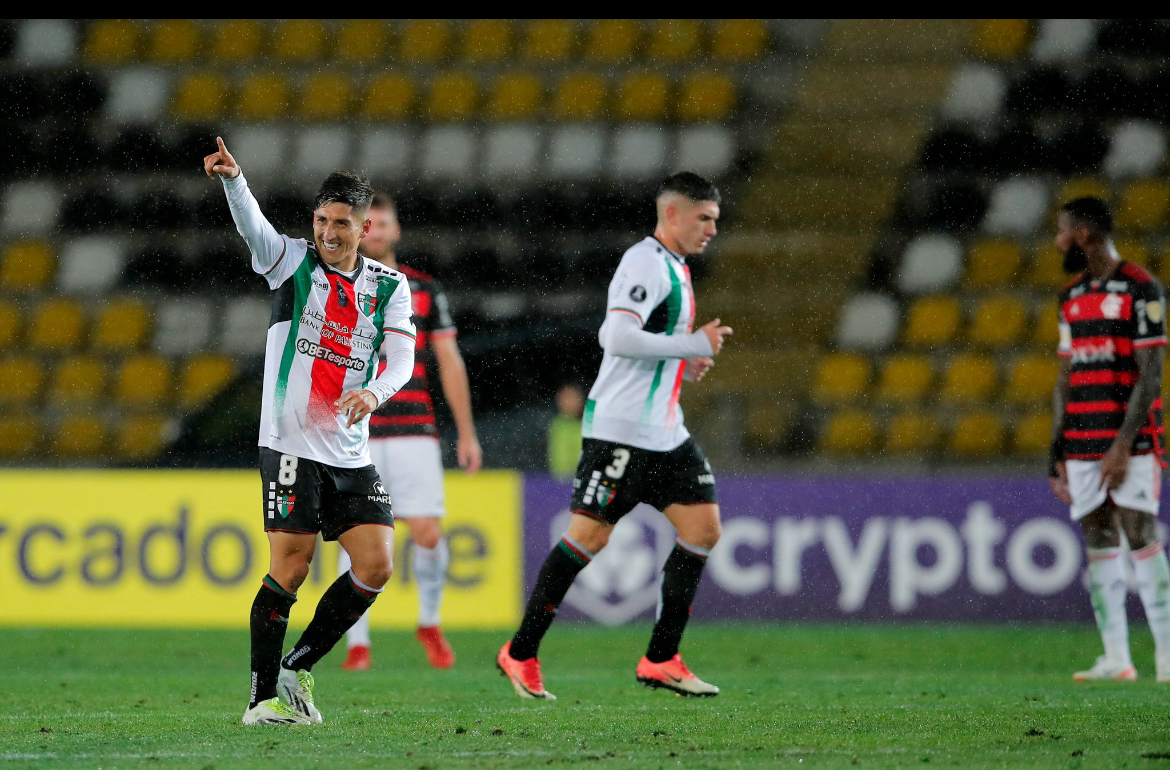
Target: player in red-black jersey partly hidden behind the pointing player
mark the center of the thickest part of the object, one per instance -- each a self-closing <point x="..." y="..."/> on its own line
<point x="405" y="449"/>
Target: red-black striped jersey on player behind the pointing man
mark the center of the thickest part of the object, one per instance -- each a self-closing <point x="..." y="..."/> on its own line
<point x="411" y="411"/>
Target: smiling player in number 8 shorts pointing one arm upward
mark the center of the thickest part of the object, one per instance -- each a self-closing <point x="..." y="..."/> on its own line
<point x="335" y="317"/>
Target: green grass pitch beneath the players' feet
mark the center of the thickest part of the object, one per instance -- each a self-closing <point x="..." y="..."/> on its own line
<point x="800" y="697"/>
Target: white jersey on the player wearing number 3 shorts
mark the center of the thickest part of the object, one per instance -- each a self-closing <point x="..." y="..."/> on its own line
<point x="636" y="401"/>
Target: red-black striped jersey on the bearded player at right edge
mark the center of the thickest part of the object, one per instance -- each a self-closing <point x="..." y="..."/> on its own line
<point x="1102" y="325"/>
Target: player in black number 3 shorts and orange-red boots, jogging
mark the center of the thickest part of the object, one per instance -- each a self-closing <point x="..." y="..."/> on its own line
<point x="636" y="448"/>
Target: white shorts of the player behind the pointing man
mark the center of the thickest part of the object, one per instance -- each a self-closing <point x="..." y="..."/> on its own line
<point x="411" y="467"/>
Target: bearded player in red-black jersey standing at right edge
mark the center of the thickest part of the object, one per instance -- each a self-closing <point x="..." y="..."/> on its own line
<point x="1107" y="430"/>
